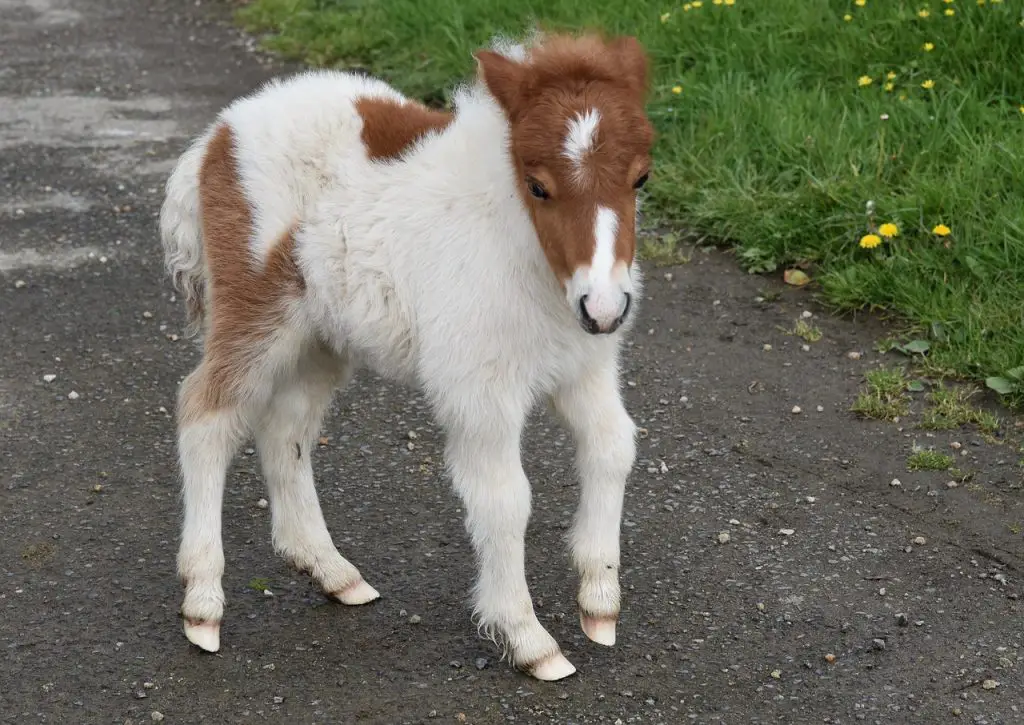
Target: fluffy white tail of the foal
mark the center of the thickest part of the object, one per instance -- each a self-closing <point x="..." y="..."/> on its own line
<point x="182" y="234"/>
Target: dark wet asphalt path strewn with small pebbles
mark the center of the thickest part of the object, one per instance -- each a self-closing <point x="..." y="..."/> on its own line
<point x="97" y="100"/>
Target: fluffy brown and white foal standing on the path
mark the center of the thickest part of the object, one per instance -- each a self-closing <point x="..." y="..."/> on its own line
<point x="486" y="257"/>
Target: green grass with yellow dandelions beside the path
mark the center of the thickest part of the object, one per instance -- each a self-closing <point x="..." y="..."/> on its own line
<point x="775" y="146"/>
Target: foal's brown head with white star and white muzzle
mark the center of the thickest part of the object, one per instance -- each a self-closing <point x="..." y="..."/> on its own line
<point x="581" y="143"/>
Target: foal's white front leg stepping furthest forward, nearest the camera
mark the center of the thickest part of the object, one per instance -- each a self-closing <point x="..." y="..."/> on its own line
<point x="484" y="457"/>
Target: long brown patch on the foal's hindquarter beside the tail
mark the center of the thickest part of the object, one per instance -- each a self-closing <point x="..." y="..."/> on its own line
<point x="247" y="304"/>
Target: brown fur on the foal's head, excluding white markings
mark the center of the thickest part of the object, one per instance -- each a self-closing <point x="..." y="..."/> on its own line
<point x="564" y="77"/>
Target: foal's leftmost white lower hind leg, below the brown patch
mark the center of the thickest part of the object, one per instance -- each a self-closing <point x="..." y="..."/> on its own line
<point x="207" y="443"/>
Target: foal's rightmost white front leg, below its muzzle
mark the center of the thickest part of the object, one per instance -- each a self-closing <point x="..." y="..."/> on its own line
<point x="592" y="409"/>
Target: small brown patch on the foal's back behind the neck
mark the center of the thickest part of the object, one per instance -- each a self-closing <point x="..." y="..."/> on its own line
<point x="391" y="129"/>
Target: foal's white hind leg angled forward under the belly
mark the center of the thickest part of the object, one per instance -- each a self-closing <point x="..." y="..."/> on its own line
<point x="284" y="438"/>
